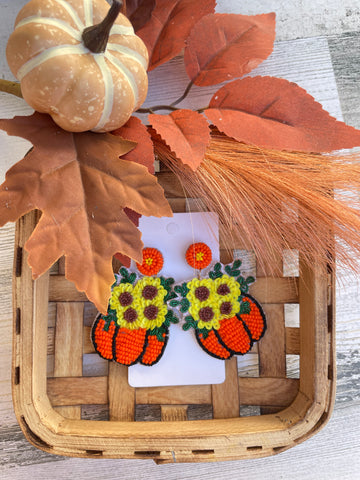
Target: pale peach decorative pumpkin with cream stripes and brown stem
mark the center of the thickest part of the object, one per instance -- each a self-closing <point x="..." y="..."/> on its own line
<point x="80" y="62"/>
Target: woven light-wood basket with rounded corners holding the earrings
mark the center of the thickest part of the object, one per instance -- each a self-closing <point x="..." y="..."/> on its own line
<point x="69" y="401"/>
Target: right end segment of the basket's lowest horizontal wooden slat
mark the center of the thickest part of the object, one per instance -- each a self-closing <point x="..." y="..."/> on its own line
<point x="268" y="391"/>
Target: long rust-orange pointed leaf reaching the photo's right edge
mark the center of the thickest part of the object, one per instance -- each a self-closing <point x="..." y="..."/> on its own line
<point x="275" y="113"/>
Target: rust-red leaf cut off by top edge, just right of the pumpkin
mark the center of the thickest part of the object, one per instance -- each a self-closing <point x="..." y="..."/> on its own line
<point x="170" y="25"/>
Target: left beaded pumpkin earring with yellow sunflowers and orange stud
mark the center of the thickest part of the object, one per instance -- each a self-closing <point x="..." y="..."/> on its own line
<point x="136" y="327"/>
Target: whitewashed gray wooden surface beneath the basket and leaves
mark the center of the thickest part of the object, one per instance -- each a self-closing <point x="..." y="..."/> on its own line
<point x="318" y="46"/>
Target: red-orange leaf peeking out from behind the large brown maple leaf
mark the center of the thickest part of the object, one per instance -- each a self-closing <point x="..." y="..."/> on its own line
<point x="143" y="154"/>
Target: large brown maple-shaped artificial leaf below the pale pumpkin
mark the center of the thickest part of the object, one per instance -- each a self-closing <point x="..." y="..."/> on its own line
<point x="81" y="185"/>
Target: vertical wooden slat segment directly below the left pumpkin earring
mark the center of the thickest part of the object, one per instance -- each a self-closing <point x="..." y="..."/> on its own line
<point x="121" y="395"/>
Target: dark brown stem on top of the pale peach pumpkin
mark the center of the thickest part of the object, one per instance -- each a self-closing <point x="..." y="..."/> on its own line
<point x="95" y="38"/>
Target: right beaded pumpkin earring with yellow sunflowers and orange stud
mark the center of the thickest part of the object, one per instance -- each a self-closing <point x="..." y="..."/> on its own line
<point x="226" y="319"/>
